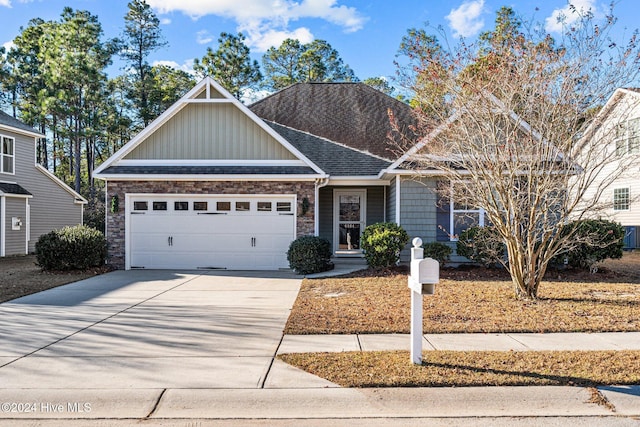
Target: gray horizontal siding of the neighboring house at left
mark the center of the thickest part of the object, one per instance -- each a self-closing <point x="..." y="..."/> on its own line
<point x="52" y="207"/>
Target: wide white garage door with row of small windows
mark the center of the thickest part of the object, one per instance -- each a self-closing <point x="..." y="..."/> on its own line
<point x="239" y="232"/>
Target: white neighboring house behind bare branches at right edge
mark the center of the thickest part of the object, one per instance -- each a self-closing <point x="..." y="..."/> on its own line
<point x="619" y="123"/>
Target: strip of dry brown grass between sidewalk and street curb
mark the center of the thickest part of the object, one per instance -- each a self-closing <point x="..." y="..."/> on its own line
<point x="453" y="368"/>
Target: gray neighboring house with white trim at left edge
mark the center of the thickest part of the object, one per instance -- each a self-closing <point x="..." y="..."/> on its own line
<point x="32" y="200"/>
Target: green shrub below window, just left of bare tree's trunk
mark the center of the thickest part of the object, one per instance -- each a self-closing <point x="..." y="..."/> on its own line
<point x="482" y="245"/>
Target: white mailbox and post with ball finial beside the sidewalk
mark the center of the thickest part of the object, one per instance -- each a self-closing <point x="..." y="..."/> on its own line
<point x="425" y="273"/>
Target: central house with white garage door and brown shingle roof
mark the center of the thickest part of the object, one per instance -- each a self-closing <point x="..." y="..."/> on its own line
<point x="214" y="184"/>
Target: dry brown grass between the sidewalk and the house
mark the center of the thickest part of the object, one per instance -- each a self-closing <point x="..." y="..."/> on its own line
<point x="473" y="300"/>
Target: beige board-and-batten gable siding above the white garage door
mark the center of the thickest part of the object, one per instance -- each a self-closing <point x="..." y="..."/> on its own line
<point x="217" y="131"/>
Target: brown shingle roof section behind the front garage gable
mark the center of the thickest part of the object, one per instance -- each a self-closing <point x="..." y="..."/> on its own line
<point x="352" y="114"/>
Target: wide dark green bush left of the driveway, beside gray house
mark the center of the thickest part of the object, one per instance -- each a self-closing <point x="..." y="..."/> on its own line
<point x="71" y="248"/>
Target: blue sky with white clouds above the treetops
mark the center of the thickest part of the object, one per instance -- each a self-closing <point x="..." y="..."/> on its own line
<point x="366" y="33"/>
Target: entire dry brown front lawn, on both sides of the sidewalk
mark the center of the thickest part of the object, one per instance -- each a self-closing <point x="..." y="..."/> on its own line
<point x="473" y="300"/>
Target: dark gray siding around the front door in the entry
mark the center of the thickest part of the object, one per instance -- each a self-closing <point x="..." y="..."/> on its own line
<point x="375" y="209"/>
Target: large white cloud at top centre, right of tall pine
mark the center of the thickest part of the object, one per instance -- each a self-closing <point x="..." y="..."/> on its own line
<point x="268" y="20"/>
